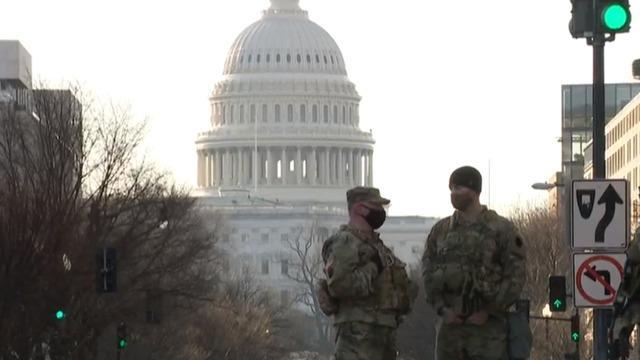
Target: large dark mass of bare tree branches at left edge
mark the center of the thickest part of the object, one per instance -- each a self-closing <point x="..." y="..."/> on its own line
<point x="72" y="181"/>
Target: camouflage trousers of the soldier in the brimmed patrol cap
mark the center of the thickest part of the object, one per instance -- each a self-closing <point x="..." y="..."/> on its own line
<point x="361" y="341"/>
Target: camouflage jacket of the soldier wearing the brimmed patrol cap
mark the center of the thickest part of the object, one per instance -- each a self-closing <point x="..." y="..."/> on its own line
<point x="369" y="283"/>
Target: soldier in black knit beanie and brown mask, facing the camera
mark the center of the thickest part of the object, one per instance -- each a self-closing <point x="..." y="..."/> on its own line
<point x="473" y="269"/>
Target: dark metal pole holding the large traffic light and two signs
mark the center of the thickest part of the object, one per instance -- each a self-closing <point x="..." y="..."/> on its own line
<point x="602" y="317"/>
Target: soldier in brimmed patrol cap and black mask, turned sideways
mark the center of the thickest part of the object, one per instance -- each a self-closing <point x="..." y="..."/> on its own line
<point x="367" y="288"/>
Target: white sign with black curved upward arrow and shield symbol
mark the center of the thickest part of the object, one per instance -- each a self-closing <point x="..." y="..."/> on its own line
<point x="599" y="214"/>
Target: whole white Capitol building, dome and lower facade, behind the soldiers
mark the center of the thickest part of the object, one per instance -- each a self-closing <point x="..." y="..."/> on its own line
<point x="285" y="145"/>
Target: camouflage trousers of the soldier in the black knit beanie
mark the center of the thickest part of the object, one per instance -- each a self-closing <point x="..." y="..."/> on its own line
<point x="472" y="342"/>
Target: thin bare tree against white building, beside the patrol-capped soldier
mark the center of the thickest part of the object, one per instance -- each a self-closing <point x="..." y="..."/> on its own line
<point x="307" y="267"/>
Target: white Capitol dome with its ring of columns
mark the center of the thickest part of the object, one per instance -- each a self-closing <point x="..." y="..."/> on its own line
<point x="285" y="116"/>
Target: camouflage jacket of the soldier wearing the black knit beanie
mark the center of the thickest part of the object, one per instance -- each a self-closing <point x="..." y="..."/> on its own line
<point x="472" y="266"/>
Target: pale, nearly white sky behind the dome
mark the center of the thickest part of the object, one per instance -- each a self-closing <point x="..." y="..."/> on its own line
<point x="444" y="83"/>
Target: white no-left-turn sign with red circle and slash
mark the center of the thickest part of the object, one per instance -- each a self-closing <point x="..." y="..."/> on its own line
<point x="596" y="278"/>
